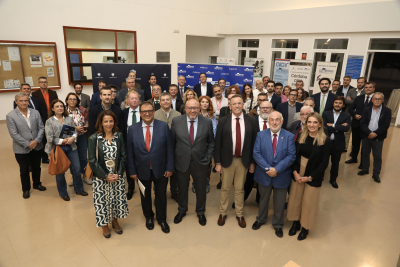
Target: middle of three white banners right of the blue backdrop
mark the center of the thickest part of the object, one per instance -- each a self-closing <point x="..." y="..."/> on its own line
<point x="300" y="70"/>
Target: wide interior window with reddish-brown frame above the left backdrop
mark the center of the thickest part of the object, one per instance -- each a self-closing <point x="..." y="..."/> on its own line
<point x="85" y="46"/>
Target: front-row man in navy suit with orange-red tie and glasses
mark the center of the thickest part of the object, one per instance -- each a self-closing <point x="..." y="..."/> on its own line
<point x="150" y="157"/>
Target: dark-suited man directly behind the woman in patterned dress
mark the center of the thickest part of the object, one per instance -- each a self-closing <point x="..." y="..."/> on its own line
<point x="105" y="104"/>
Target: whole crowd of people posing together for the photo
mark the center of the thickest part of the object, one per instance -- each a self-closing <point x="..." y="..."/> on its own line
<point x="266" y="137"/>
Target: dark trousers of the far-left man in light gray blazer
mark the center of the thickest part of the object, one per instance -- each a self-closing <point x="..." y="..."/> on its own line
<point x="32" y="159"/>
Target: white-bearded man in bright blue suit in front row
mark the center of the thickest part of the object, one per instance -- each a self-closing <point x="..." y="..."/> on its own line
<point x="274" y="152"/>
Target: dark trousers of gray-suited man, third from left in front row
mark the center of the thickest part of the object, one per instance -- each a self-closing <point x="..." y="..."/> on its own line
<point x="200" y="182"/>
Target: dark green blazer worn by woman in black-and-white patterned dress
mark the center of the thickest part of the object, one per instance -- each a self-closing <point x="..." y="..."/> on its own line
<point x="97" y="164"/>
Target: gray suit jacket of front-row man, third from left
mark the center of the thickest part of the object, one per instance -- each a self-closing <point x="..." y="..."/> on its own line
<point x="202" y="149"/>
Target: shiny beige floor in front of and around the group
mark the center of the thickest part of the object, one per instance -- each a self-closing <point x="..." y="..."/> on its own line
<point x="358" y="225"/>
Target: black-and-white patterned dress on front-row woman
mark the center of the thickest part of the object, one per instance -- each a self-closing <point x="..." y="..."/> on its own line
<point x="110" y="200"/>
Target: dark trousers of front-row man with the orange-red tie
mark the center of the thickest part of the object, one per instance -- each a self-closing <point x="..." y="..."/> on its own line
<point x="160" y="200"/>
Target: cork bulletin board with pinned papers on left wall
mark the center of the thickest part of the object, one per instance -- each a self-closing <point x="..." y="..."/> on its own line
<point x="25" y="62"/>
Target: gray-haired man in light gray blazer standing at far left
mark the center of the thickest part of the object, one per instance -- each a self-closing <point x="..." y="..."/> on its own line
<point x="27" y="130"/>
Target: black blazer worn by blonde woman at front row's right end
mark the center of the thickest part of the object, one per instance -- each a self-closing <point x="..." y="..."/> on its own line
<point x="317" y="163"/>
